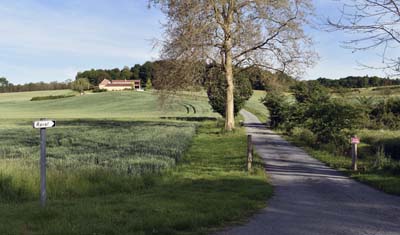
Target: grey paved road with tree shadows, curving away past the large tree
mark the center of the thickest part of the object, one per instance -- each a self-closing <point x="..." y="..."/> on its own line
<point x="311" y="198"/>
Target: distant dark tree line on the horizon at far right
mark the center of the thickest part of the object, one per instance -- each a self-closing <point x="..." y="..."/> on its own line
<point x="358" y="82"/>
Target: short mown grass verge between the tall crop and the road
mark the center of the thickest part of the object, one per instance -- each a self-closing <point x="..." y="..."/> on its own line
<point x="208" y="189"/>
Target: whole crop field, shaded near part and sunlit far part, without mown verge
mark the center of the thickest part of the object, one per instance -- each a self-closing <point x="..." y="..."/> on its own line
<point x="93" y="142"/>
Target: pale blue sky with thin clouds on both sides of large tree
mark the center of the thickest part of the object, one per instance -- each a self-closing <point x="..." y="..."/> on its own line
<point x="51" y="40"/>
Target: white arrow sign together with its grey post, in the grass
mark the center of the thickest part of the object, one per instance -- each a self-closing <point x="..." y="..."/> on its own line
<point x="42" y="125"/>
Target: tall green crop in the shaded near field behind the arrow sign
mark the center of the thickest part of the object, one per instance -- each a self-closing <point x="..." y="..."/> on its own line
<point x="88" y="157"/>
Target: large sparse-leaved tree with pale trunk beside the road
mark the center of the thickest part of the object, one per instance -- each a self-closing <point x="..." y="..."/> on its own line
<point x="236" y="33"/>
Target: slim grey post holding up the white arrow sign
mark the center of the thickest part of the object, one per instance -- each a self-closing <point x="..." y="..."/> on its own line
<point x="43" y="166"/>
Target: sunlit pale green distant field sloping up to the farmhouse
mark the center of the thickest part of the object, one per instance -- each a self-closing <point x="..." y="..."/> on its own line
<point x="109" y="105"/>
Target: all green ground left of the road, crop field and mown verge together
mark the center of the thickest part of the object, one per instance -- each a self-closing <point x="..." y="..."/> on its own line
<point x="118" y="164"/>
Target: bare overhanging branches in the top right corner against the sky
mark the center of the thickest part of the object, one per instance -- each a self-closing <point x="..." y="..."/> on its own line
<point x="375" y="24"/>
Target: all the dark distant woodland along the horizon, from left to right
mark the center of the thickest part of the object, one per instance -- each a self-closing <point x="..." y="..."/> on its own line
<point x="149" y="72"/>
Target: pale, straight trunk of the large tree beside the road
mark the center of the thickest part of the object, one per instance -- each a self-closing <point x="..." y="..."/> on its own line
<point x="229" y="109"/>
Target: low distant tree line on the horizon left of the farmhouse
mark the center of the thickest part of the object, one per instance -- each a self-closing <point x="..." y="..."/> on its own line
<point x="6" y="86"/>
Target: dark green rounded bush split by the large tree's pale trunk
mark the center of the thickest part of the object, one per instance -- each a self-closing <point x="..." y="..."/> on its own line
<point x="216" y="91"/>
